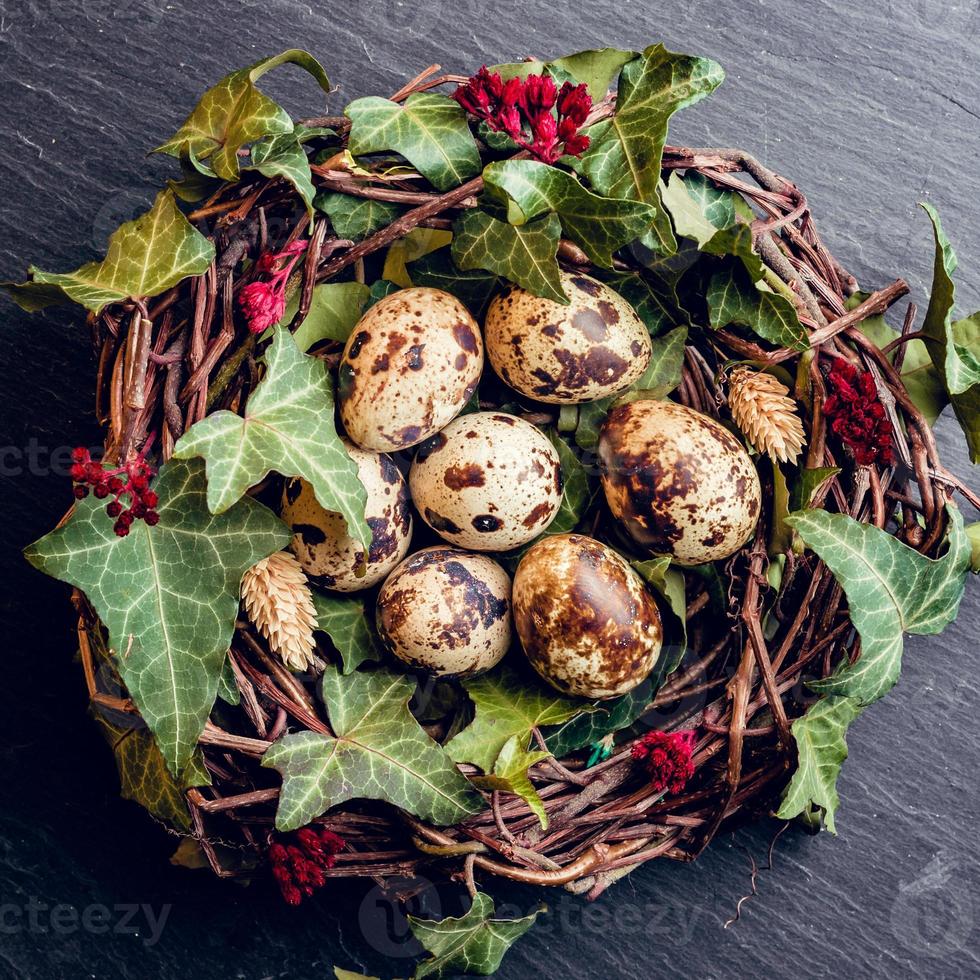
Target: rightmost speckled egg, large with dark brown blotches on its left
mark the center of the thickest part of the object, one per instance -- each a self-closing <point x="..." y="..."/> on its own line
<point x="681" y="483"/>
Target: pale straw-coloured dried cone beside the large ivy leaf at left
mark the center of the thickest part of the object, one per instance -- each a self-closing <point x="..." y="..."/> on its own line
<point x="278" y="601"/>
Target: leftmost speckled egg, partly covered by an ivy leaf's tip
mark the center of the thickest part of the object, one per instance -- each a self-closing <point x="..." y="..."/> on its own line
<point x="320" y="539"/>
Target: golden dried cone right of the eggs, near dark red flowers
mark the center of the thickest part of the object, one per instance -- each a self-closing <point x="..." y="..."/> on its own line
<point x="764" y="411"/>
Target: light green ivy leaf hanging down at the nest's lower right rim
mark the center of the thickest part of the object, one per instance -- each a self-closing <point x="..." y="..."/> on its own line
<point x="822" y="749"/>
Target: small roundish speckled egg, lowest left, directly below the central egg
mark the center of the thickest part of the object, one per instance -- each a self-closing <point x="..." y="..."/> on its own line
<point x="446" y="612"/>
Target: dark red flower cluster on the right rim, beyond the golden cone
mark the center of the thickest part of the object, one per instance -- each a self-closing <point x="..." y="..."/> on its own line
<point x="856" y="416"/>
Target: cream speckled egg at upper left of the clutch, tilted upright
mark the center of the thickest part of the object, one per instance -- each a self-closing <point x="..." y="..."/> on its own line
<point x="409" y="366"/>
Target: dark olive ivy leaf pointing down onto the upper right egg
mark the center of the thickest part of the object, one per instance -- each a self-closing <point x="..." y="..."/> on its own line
<point x="524" y="254"/>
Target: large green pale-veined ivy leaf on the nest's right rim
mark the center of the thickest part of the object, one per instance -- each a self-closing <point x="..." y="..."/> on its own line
<point x="891" y="590"/>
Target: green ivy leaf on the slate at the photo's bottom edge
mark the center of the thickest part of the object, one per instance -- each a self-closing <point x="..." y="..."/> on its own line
<point x="474" y="943"/>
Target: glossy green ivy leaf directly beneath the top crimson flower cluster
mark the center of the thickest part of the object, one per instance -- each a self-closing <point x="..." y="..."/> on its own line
<point x="600" y="225"/>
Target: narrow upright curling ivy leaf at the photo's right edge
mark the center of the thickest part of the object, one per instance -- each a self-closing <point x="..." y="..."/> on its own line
<point x="953" y="346"/>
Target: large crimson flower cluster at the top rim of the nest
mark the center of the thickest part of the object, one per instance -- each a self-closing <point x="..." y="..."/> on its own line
<point x="523" y="110"/>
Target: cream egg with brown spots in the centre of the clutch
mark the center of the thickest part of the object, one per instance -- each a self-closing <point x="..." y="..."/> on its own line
<point x="487" y="482"/>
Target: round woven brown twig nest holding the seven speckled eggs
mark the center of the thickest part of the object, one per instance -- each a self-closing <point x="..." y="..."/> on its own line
<point x="764" y="626"/>
